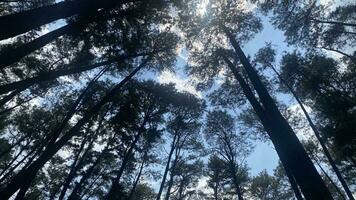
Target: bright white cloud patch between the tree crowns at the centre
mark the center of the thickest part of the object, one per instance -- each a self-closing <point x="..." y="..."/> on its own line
<point x="182" y="84"/>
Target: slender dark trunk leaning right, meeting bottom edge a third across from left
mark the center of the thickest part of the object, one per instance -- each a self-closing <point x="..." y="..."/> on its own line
<point x="115" y="183"/>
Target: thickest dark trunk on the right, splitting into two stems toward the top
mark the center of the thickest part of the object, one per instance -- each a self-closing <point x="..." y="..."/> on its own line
<point x="287" y="145"/>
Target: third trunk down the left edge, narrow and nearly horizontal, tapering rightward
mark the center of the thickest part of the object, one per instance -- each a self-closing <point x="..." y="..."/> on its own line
<point x="51" y="75"/>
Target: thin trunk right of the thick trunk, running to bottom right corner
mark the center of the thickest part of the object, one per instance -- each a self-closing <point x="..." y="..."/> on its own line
<point x="318" y="136"/>
